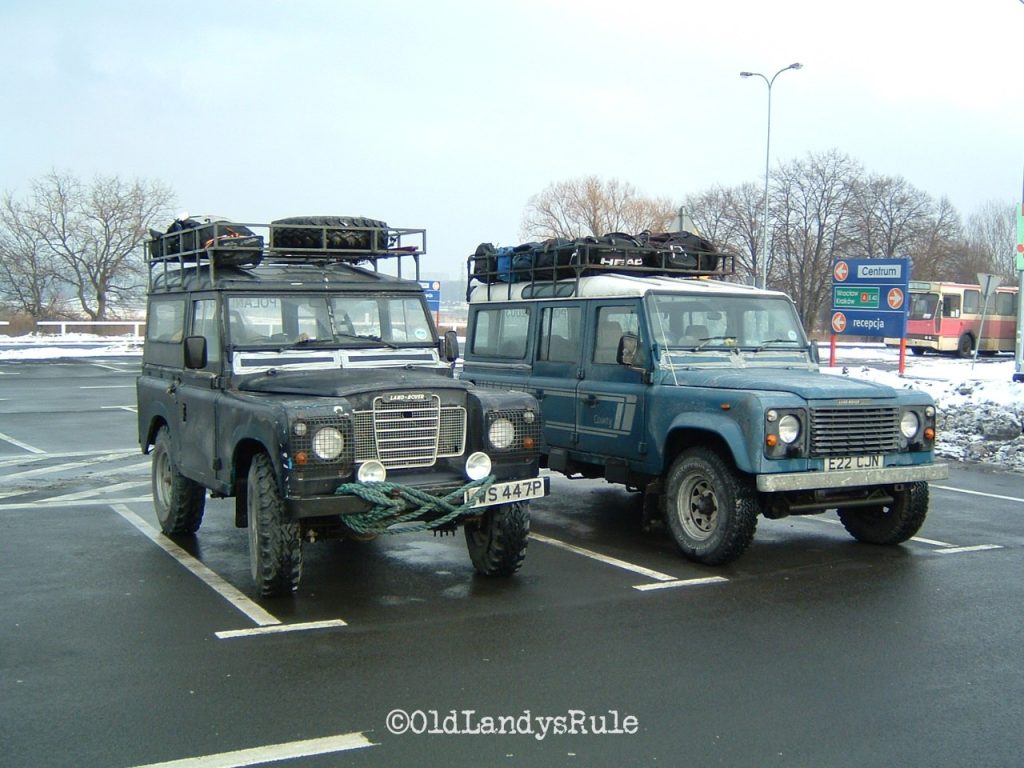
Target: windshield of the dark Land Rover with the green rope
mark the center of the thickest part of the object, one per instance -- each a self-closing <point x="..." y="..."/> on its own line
<point x="342" y="321"/>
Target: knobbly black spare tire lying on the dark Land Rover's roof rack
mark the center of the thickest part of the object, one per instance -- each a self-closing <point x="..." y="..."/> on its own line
<point x="333" y="234"/>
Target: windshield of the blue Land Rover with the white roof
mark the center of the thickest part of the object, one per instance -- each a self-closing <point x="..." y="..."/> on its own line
<point x="715" y="322"/>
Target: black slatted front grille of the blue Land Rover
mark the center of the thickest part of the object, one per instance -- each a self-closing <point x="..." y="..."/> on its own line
<point x="852" y="432"/>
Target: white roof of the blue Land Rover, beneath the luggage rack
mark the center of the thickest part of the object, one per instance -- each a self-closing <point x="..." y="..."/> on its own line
<point x="608" y="286"/>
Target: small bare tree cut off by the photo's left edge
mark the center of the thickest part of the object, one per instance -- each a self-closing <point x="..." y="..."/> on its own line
<point x="30" y="279"/>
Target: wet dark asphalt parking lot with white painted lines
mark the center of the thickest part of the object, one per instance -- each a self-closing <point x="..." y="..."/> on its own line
<point x="121" y="648"/>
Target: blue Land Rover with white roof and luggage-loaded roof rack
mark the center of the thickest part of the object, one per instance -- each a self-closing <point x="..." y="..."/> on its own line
<point x="654" y="372"/>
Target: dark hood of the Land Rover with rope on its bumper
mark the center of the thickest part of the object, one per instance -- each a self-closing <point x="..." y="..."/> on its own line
<point x="346" y="383"/>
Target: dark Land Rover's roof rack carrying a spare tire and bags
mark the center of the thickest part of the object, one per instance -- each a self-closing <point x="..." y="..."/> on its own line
<point x="204" y="243"/>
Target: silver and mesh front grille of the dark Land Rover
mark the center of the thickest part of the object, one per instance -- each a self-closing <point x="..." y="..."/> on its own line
<point x="406" y="434"/>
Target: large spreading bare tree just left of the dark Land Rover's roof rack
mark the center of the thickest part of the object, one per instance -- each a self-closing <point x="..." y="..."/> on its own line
<point x="95" y="233"/>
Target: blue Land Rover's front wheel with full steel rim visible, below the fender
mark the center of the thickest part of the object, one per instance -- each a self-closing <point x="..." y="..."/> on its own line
<point x="711" y="510"/>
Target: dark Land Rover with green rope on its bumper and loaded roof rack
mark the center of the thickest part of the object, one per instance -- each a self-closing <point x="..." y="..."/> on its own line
<point x="287" y="371"/>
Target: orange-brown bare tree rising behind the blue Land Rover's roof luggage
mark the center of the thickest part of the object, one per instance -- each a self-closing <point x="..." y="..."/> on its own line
<point x="590" y="206"/>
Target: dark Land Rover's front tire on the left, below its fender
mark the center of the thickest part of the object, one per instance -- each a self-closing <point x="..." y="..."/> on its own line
<point x="275" y="543"/>
